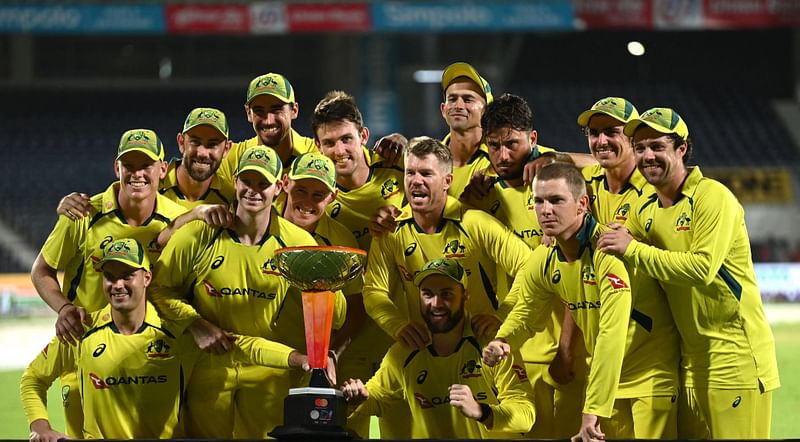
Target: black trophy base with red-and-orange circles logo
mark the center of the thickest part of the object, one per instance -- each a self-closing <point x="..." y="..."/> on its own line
<point x="314" y="413"/>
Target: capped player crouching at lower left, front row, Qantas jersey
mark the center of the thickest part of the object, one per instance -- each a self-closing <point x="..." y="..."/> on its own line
<point x="132" y="365"/>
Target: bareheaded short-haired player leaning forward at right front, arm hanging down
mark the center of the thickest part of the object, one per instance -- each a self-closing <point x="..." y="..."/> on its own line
<point x="595" y="287"/>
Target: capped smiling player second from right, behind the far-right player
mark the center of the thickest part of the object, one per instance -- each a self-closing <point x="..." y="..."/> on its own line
<point x="645" y="406"/>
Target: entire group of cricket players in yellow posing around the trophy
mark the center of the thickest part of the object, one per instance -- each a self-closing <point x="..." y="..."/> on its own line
<point x="511" y="291"/>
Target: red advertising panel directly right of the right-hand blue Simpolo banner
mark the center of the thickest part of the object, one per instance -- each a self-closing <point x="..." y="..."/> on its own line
<point x="593" y="14"/>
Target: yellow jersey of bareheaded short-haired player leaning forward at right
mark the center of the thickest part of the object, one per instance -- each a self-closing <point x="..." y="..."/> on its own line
<point x="596" y="288"/>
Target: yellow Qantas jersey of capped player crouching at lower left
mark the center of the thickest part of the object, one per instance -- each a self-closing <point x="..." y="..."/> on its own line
<point x="132" y="386"/>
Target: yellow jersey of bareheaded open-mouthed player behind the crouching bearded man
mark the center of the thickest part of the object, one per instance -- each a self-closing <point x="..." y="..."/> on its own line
<point x="471" y="236"/>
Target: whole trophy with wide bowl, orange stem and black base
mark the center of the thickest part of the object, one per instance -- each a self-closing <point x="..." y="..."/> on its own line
<point x="317" y="411"/>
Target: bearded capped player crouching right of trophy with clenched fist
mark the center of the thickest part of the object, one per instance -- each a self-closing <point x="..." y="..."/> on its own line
<point x="450" y="393"/>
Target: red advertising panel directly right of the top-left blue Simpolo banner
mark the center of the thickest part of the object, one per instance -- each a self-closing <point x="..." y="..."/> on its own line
<point x="208" y="19"/>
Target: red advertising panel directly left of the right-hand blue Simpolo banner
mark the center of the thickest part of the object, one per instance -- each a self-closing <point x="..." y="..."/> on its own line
<point x="328" y="17"/>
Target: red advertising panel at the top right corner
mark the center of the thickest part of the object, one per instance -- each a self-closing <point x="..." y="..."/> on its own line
<point x="751" y="13"/>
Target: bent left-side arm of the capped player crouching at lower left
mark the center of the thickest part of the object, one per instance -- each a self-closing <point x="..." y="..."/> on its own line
<point x="49" y="364"/>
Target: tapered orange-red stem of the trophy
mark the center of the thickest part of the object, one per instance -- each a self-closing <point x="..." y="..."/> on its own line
<point x="318" y="319"/>
